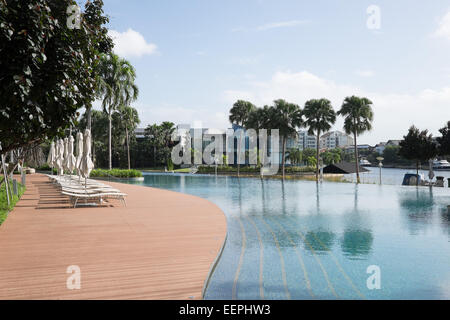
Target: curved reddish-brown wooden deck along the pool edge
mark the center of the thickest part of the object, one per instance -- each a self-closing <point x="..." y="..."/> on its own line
<point x="161" y="246"/>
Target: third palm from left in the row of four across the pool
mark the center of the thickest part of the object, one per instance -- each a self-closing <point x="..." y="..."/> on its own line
<point x="320" y="116"/>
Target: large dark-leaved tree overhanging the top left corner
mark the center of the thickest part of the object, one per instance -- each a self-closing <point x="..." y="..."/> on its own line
<point x="47" y="70"/>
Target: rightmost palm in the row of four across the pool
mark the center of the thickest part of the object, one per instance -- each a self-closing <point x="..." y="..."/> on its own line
<point x="358" y="116"/>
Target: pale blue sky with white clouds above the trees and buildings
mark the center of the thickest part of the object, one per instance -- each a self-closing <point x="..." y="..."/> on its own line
<point x="195" y="58"/>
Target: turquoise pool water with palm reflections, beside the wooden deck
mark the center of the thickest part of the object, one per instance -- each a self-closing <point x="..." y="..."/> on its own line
<point x="300" y="240"/>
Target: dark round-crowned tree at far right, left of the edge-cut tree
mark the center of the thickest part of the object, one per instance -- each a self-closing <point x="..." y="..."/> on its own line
<point x="418" y="146"/>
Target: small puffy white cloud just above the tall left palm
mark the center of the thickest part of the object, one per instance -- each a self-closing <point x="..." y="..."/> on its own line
<point x="131" y="44"/>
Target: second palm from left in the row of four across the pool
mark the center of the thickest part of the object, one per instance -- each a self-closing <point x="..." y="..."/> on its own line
<point x="286" y="117"/>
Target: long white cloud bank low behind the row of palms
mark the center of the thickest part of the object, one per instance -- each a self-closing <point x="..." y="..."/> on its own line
<point x="394" y="112"/>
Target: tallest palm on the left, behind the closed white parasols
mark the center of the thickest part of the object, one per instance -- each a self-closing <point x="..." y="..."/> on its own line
<point x="117" y="87"/>
